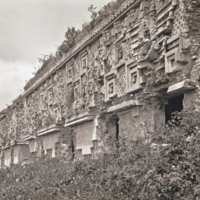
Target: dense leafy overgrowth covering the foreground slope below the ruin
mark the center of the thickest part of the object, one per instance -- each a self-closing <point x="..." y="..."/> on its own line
<point x="164" y="165"/>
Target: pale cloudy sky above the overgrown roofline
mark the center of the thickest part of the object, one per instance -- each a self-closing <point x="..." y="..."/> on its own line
<point x="30" y="29"/>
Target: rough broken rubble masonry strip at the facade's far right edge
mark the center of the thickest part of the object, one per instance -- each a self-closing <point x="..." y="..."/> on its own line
<point x="192" y="9"/>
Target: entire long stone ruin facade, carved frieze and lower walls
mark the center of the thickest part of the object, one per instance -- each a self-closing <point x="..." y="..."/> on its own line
<point x="125" y="77"/>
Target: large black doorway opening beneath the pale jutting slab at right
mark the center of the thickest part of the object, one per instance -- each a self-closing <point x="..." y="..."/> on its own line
<point x="174" y="104"/>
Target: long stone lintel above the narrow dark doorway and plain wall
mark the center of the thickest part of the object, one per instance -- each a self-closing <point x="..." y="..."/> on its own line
<point x="123" y="106"/>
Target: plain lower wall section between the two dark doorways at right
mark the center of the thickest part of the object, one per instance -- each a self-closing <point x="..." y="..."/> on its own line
<point x="135" y="121"/>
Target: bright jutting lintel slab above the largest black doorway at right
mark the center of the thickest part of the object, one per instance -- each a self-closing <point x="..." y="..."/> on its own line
<point x="180" y="87"/>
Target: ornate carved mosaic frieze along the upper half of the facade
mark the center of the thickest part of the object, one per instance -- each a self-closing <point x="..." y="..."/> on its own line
<point x="138" y="52"/>
